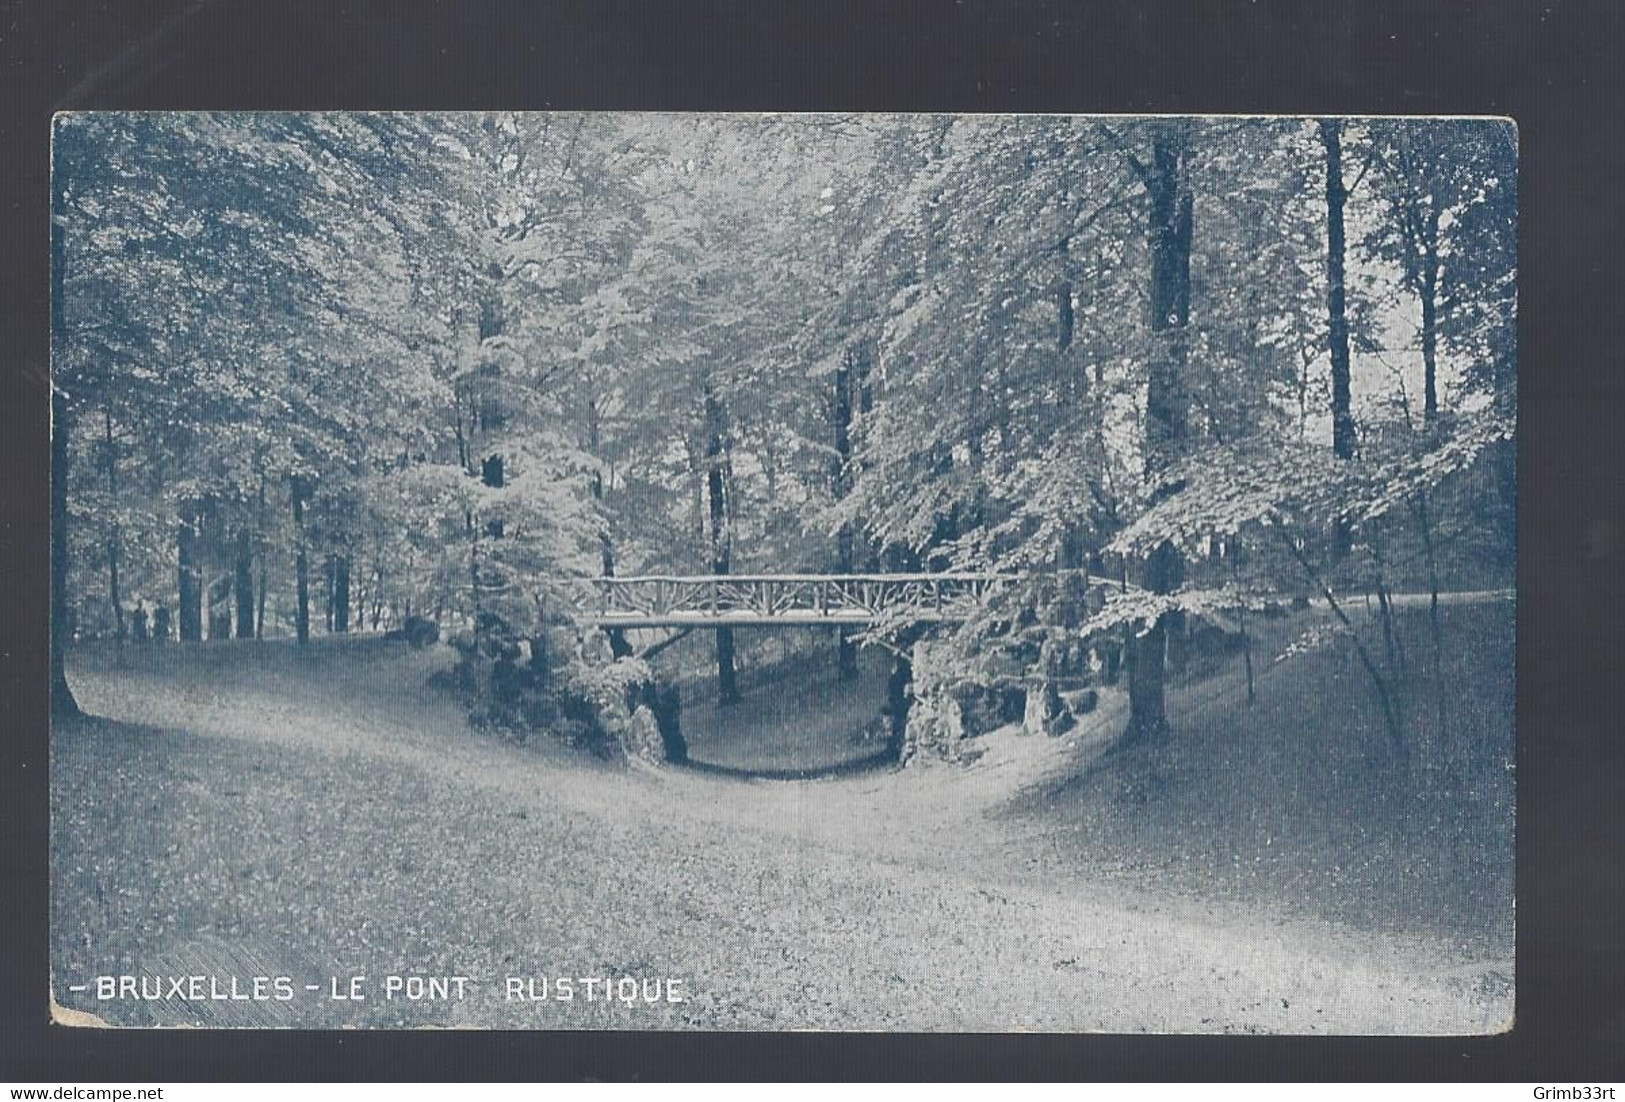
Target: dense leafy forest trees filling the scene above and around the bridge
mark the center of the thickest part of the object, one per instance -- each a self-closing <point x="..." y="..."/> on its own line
<point x="349" y="373"/>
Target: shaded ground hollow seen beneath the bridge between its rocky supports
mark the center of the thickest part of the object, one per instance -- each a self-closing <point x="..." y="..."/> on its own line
<point x="804" y="724"/>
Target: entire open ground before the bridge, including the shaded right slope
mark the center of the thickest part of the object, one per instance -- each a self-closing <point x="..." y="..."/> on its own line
<point x="245" y="810"/>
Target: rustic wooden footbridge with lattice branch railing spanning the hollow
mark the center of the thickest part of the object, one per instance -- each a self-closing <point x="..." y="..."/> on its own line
<point x="771" y="601"/>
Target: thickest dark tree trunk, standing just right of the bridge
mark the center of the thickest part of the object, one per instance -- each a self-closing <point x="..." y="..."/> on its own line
<point x="1166" y="409"/>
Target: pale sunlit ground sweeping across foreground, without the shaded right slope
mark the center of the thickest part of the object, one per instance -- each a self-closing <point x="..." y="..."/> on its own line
<point x="306" y="820"/>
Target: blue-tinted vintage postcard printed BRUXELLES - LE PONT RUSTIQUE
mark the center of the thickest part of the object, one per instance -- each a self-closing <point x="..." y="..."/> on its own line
<point x="771" y="571"/>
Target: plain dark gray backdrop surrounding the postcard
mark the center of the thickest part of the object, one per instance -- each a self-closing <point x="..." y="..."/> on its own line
<point x="1551" y="67"/>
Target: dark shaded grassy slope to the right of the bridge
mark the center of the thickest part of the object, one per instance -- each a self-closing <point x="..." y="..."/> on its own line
<point x="1294" y="802"/>
